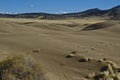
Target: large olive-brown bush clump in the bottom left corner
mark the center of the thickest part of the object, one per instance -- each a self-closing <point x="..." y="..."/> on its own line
<point x="21" y="68"/>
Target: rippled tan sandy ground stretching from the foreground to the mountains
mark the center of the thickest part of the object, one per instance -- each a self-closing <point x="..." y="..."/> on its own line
<point x="97" y="39"/>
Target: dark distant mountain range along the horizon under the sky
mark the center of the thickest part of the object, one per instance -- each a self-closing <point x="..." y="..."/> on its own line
<point x="113" y="13"/>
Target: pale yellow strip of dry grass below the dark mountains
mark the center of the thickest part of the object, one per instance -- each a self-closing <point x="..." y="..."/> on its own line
<point x="77" y="21"/>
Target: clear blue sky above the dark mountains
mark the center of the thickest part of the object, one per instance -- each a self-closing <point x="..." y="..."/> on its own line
<point x="54" y="6"/>
